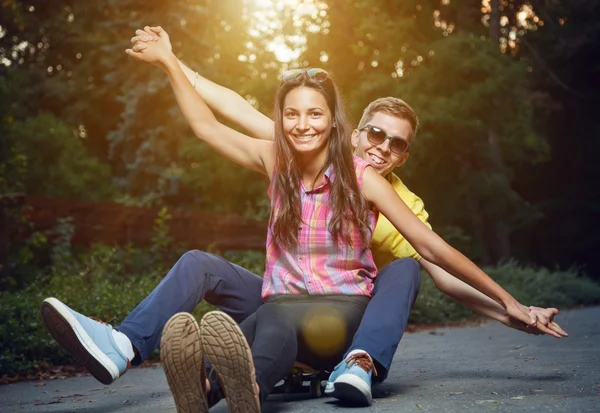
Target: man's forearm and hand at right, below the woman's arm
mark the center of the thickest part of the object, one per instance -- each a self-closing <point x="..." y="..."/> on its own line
<point x="482" y="304"/>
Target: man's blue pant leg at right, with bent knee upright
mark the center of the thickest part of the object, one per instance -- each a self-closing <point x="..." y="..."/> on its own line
<point x="386" y="316"/>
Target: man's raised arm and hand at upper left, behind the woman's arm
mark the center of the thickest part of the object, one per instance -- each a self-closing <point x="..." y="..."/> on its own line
<point x="220" y="99"/>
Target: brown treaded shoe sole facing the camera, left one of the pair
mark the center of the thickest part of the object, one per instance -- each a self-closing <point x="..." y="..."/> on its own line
<point x="182" y="362"/>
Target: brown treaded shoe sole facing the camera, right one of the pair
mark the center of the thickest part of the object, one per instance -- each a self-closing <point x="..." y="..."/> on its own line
<point x="226" y="347"/>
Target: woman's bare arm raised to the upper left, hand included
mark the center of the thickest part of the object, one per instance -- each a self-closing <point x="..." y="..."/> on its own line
<point x="251" y="153"/>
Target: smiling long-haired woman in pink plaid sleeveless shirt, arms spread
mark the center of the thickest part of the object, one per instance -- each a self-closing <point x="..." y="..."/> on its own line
<point x="317" y="246"/>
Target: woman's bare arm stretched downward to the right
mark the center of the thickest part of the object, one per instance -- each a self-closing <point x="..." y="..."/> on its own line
<point x="434" y="249"/>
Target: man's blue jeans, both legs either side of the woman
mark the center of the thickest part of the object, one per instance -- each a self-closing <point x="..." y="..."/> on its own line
<point x="199" y="275"/>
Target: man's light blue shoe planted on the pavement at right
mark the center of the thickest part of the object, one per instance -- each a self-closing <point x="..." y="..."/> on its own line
<point x="350" y="381"/>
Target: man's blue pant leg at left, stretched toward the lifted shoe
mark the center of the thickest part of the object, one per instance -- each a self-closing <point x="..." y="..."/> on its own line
<point x="196" y="276"/>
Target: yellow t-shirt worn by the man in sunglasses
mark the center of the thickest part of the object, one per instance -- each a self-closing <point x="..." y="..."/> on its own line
<point x="387" y="243"/>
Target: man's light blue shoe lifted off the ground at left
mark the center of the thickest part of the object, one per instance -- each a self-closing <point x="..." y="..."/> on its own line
<point x="90" y="342"/>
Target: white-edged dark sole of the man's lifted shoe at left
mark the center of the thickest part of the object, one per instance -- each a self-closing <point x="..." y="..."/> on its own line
<point x="71" y="336"/>
